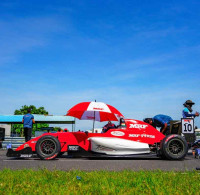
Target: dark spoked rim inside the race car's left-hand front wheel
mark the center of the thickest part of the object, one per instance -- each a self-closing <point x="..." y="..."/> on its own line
<point x="48" y="147"/>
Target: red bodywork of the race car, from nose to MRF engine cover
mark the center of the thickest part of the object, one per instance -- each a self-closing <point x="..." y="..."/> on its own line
<point x="135" y="130"/>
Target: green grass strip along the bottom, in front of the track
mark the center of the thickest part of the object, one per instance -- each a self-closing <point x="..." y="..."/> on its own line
<point x="28" y="181"/>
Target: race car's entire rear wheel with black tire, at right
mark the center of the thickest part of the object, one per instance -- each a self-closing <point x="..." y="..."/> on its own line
<point x="174" y="147"/>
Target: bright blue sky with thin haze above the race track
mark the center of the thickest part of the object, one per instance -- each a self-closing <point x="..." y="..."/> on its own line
<point x="142" y="57"/>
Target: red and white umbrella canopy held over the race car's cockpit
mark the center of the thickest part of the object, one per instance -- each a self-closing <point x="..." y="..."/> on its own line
<point x="97" y="111"/>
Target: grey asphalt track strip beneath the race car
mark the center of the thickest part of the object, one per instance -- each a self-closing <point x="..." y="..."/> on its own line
<point x="64" y="163"/>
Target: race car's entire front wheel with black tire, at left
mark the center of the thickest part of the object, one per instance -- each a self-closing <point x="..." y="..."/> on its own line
<point x="48" y="147"/>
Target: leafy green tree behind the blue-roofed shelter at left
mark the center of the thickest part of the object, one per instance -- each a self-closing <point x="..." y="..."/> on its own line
<point x="18" y="128"/>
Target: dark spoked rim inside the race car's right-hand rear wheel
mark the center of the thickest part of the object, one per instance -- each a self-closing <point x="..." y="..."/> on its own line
<point x="176" y="147"/>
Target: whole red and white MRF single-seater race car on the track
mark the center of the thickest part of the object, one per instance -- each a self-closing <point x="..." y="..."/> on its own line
<point x="134" y="139"/>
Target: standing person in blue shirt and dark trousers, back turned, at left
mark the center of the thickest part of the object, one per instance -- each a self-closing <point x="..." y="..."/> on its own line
<point x="28" y="120"/>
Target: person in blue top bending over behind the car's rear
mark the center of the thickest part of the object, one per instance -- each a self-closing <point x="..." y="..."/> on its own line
<point x="162" y="121"/>
